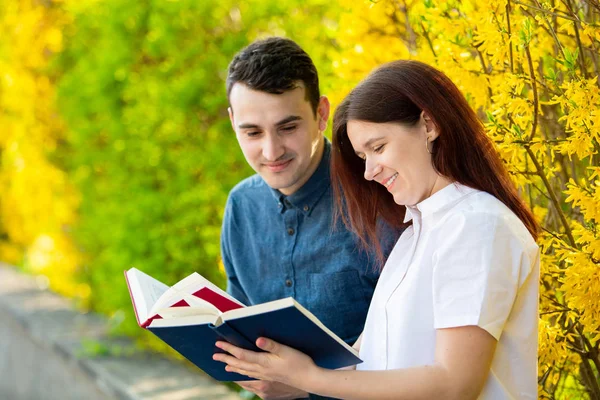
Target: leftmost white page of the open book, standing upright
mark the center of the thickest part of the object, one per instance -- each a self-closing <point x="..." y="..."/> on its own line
<point x="145" y="291"/>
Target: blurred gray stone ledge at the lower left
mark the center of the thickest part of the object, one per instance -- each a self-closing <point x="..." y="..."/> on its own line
<point x="43" y="343"/>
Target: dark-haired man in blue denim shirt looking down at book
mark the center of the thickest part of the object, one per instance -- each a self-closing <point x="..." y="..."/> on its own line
<point x="278" y="238"/>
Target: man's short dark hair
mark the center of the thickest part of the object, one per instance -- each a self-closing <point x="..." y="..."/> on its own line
<point x="275" y="65"/>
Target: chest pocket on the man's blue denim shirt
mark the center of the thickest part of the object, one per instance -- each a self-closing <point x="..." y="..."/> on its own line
<point x="338" y="299"/>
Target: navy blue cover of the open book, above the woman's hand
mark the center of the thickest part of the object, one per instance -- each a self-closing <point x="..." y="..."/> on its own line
<point x="284" y="321"/>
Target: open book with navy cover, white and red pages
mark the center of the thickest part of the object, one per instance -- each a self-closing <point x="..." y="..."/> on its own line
<point x="194" y="313"/>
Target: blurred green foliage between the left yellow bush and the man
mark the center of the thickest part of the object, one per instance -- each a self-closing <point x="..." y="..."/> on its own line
<point x="149" y="144"/>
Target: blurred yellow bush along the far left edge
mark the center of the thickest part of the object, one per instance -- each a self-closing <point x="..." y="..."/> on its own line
<point x="37" y="201"/>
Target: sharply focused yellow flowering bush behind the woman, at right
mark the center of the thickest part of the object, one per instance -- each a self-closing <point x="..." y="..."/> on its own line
<point x="530" y="69"/>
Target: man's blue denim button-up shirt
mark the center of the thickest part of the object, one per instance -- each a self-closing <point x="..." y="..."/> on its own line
<point x="275" y="246"/>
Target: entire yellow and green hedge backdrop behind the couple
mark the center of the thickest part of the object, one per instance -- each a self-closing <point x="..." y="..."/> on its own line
<point x="139" y="128"/>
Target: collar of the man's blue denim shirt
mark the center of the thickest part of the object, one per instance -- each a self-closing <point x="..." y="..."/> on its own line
<point x="305" y="198"/>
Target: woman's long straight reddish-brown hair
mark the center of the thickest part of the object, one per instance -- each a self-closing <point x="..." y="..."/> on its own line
<point x="398" y="92"/>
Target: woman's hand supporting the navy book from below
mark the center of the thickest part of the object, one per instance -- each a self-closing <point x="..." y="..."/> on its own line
<point x="278" y="363"/>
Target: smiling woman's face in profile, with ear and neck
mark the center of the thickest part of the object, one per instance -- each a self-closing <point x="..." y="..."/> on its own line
<point x="396" y="157"/>
